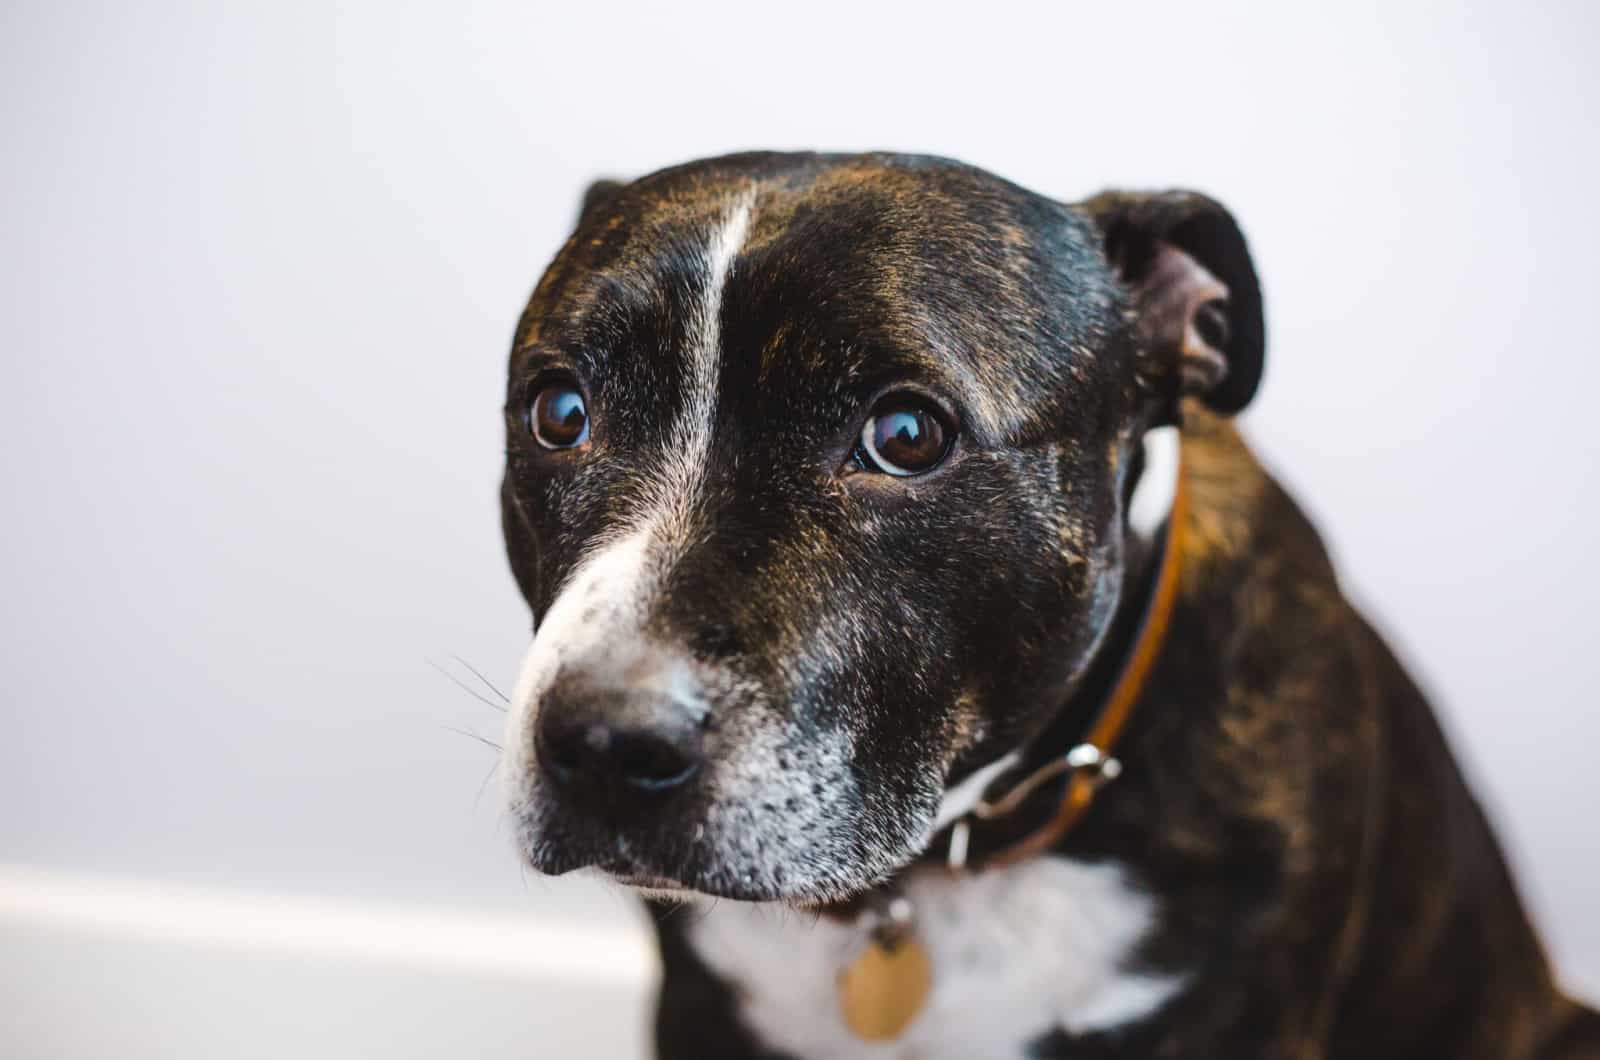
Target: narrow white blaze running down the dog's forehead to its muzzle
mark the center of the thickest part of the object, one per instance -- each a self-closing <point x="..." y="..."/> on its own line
<point x="607" y="598"/>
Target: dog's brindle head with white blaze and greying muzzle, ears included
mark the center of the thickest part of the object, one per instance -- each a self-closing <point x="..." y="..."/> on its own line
<point x="817" y="478"/>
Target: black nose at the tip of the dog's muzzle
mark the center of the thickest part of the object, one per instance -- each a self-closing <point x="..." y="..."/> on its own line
<point x="618" y="741"/>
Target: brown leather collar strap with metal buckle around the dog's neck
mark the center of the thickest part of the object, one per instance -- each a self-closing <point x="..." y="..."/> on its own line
<point x="1090" y="763"/>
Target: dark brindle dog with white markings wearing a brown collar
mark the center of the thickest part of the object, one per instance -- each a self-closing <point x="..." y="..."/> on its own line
<point x="908" y="606"/>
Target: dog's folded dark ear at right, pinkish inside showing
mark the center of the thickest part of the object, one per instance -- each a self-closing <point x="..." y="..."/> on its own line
<point x="1194" y="289"/>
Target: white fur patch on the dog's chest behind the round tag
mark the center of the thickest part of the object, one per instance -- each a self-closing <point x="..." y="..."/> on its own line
<point x="1015" y="954"/>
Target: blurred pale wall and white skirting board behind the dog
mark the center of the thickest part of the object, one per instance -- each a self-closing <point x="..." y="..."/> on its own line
<point x="258" y="275"/>
